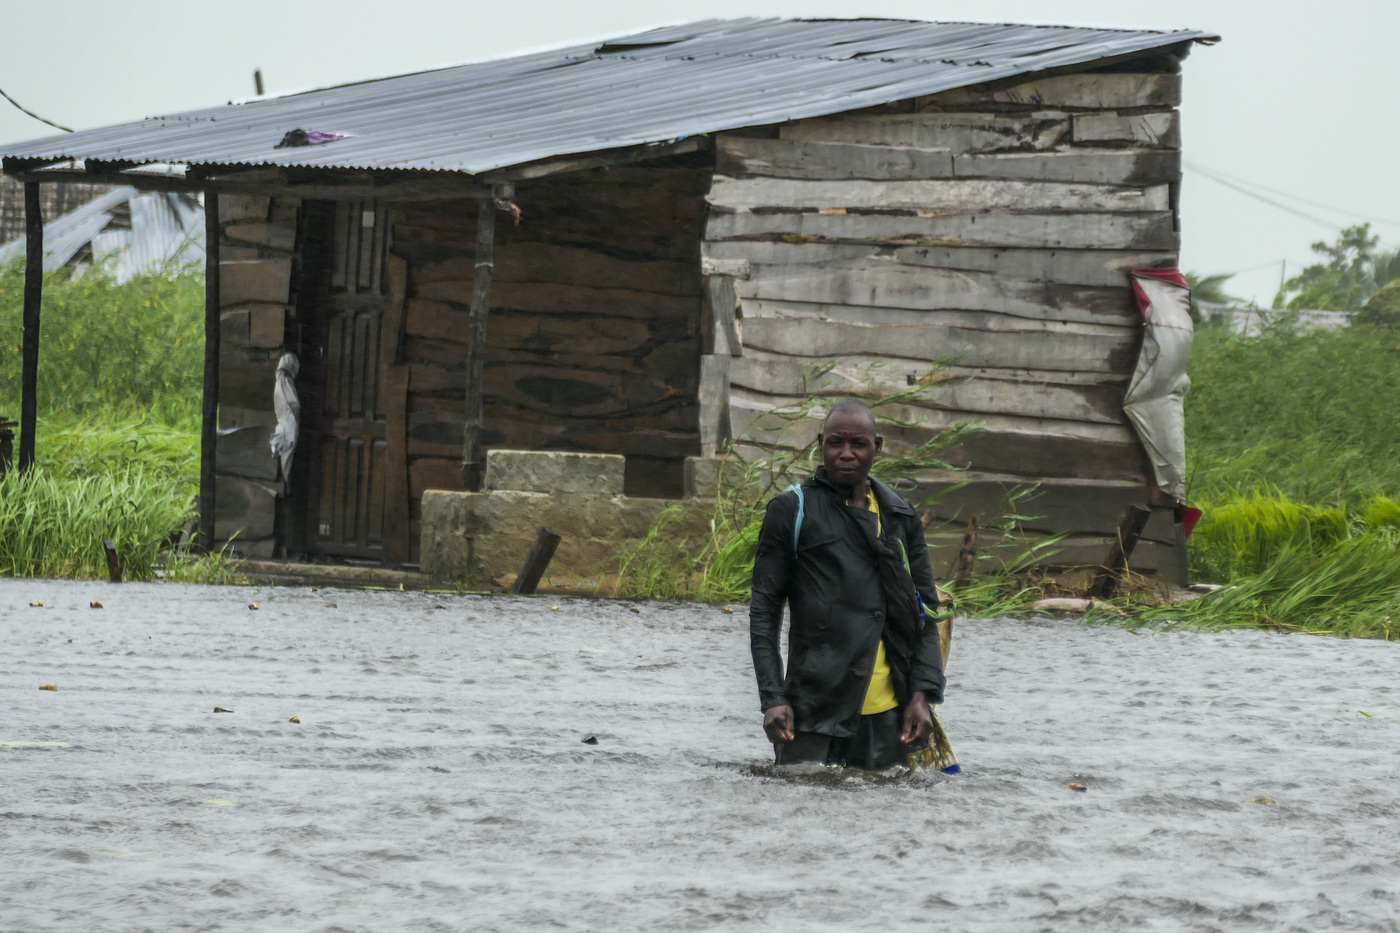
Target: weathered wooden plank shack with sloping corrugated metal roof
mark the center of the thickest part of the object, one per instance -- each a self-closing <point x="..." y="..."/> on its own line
<point x="867" y="198"/>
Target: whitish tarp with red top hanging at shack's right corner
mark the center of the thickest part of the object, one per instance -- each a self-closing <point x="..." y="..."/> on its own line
<point x="1154" y="401"/>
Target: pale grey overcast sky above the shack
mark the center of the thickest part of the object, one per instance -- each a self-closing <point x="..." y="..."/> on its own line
<point x="1298" y="99"/>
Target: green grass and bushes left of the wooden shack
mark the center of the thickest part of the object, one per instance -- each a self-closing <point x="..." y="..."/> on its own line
<point x="118" y="443"/>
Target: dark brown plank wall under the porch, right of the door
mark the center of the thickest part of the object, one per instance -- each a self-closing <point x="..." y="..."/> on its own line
<point x="593" y="337"/>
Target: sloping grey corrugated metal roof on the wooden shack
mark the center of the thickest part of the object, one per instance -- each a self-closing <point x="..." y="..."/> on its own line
<point x="650" y="88"/>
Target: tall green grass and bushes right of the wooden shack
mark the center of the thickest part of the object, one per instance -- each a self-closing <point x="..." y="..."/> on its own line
<point x="1294" y="456"/>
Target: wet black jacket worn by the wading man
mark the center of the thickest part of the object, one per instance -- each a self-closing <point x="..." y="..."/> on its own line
<point x="832" y="583"/>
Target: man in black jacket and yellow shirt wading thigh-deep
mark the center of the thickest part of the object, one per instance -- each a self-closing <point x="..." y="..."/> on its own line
<point x="863" y="665"/>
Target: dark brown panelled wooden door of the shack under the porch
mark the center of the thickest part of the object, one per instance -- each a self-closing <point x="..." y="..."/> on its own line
<point x="359" y="498"/>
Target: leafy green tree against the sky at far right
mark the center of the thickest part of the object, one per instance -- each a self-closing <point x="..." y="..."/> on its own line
<point x="1353" y="270"/>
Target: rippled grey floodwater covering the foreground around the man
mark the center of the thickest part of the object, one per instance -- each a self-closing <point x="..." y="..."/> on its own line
<point x="437" y="780"/>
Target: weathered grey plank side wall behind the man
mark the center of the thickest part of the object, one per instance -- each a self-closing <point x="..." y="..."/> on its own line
<point x="986" y="228"/>
